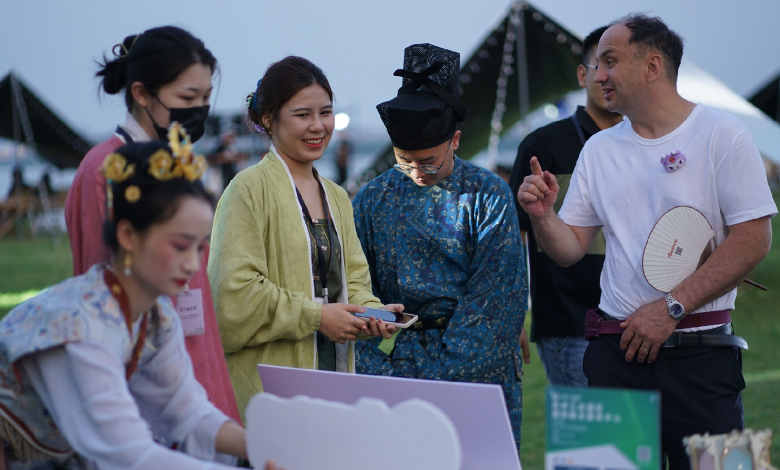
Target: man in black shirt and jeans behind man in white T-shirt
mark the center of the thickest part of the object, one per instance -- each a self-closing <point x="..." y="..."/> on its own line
<point x="561" y="296"/>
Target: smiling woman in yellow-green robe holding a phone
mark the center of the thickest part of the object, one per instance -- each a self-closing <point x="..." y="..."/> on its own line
<point x="287" y="271"/>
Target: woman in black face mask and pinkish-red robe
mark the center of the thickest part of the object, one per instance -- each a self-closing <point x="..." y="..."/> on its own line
<point x="165" y="75"/>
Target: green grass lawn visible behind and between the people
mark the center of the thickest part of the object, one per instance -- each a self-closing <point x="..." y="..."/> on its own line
<point x="27" y="266"/>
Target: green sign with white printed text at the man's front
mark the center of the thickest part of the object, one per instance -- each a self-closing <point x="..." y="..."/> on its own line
<point x="602" y="429"/>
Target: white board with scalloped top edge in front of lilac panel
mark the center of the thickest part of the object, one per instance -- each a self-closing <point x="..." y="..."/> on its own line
<point x="308" y="433"/>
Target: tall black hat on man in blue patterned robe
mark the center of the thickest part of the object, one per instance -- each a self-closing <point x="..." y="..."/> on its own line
<point x="426" y="111"/>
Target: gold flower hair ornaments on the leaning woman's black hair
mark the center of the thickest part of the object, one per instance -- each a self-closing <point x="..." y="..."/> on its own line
<point x="163" y="166"/>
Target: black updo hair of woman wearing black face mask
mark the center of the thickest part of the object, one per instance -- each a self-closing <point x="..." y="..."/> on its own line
<point x="155" y="58"/>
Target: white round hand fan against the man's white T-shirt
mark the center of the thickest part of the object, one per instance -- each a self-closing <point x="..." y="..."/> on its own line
<point x="678" y="244"/>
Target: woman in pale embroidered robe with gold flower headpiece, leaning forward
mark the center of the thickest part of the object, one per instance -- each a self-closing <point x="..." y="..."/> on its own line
<point x="92" y="368"/>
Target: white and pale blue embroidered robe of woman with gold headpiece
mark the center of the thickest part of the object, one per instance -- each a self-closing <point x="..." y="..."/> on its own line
<point x="62" y="383"/>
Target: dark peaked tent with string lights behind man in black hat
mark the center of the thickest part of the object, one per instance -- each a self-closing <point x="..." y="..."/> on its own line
<point x="525" y="61"/>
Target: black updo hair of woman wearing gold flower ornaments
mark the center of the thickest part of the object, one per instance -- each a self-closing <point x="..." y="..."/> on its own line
<point x="158" y="201"/>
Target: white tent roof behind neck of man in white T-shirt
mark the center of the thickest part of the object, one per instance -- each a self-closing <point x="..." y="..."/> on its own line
<point x="696" y="85"/>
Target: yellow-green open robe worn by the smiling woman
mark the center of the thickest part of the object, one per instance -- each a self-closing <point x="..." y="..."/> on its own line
<point x="261" y="275"/>
